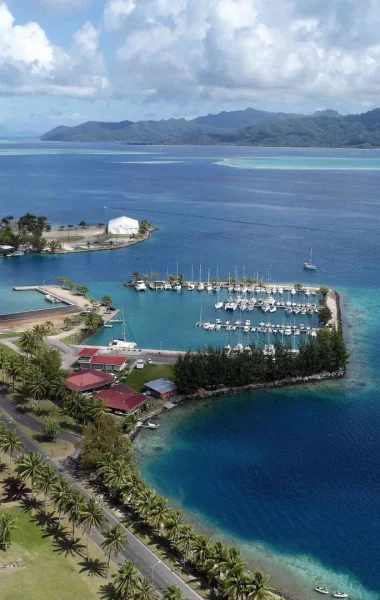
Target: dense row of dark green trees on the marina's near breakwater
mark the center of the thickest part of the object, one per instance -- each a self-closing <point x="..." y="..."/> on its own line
<point x="216" y="368"/>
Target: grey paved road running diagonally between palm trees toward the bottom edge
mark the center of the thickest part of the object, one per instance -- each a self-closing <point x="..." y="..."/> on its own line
<point x="145" y="560"/>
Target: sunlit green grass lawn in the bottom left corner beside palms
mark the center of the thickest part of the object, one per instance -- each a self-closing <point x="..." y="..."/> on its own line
<point x="45" y="572"/>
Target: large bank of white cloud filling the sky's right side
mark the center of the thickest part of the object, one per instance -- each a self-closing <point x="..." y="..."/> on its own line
<point x="226" y="50"/>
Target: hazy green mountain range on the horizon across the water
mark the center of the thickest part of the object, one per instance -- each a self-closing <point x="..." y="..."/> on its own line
<point x="248" y="127"/>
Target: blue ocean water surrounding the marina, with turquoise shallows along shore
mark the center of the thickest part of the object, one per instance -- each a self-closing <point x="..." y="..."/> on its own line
<point x="291" y="475"/>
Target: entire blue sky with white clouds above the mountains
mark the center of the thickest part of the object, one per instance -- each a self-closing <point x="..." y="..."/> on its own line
<point x="70" y="61"/>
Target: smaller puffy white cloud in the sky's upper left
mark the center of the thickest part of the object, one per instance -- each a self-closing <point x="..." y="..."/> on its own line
<point x="30" y="64"/>
